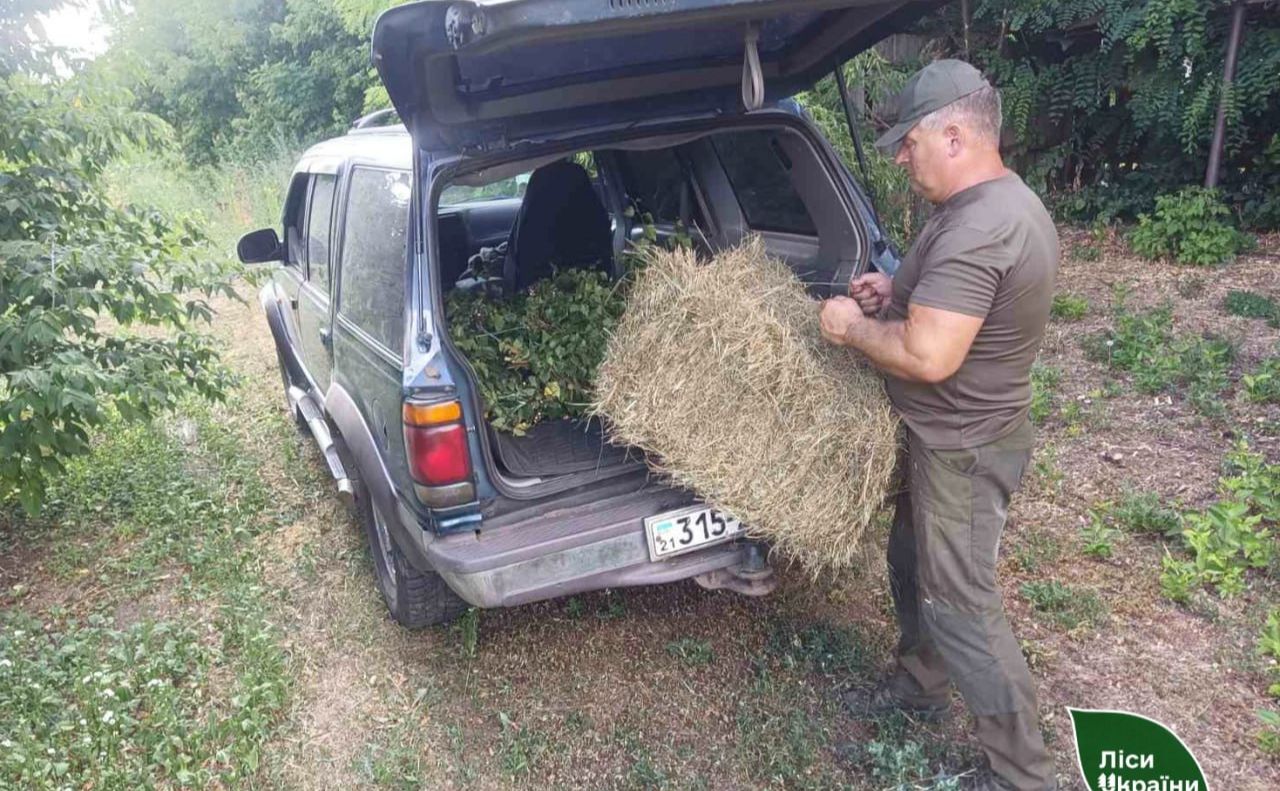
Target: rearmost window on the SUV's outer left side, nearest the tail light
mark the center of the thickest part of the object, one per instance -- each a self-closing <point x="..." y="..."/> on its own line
<point x="374" y="254"/>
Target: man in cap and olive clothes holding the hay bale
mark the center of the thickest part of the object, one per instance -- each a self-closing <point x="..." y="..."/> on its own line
<point x="957" y="331"/>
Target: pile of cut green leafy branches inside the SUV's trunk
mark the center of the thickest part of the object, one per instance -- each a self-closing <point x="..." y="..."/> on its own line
<point x="536" y="354"/>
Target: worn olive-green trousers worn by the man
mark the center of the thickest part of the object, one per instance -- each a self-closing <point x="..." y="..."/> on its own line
<point x="943" y="571"/>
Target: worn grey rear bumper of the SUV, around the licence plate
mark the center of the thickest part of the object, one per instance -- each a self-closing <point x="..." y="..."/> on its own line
<point x="572" y="551"/>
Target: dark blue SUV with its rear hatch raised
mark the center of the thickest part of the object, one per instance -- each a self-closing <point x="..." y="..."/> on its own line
<point x="537" y="134"/>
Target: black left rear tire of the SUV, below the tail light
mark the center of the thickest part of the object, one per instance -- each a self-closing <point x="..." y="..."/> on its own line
<point x="415" y="598"/>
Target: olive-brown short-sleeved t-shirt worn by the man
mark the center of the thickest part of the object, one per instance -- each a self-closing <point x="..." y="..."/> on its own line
<point x="989" y="252"/>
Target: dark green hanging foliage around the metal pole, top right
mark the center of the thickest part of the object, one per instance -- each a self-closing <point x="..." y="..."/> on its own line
<point x="1110" y="103"/>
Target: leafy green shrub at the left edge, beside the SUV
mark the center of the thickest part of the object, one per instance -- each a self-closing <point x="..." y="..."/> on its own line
<point x="86" y="285"/>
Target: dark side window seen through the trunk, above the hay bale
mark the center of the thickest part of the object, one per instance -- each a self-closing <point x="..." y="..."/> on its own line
<point x="761" y="173"/>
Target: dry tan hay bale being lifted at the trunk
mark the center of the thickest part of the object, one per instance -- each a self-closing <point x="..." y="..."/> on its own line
<point x="720" y="372"/>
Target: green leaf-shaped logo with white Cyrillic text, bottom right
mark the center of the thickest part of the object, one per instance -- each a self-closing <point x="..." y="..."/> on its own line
<point x="1126" y="752"/>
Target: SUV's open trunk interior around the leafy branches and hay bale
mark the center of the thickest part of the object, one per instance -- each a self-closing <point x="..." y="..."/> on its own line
<point x="511" y="226"/>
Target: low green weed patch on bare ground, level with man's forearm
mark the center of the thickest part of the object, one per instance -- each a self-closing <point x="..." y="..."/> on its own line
<point x="1159" y="360"/>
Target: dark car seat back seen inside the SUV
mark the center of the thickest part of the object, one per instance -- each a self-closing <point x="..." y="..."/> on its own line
<point x="561" y="223"/>
